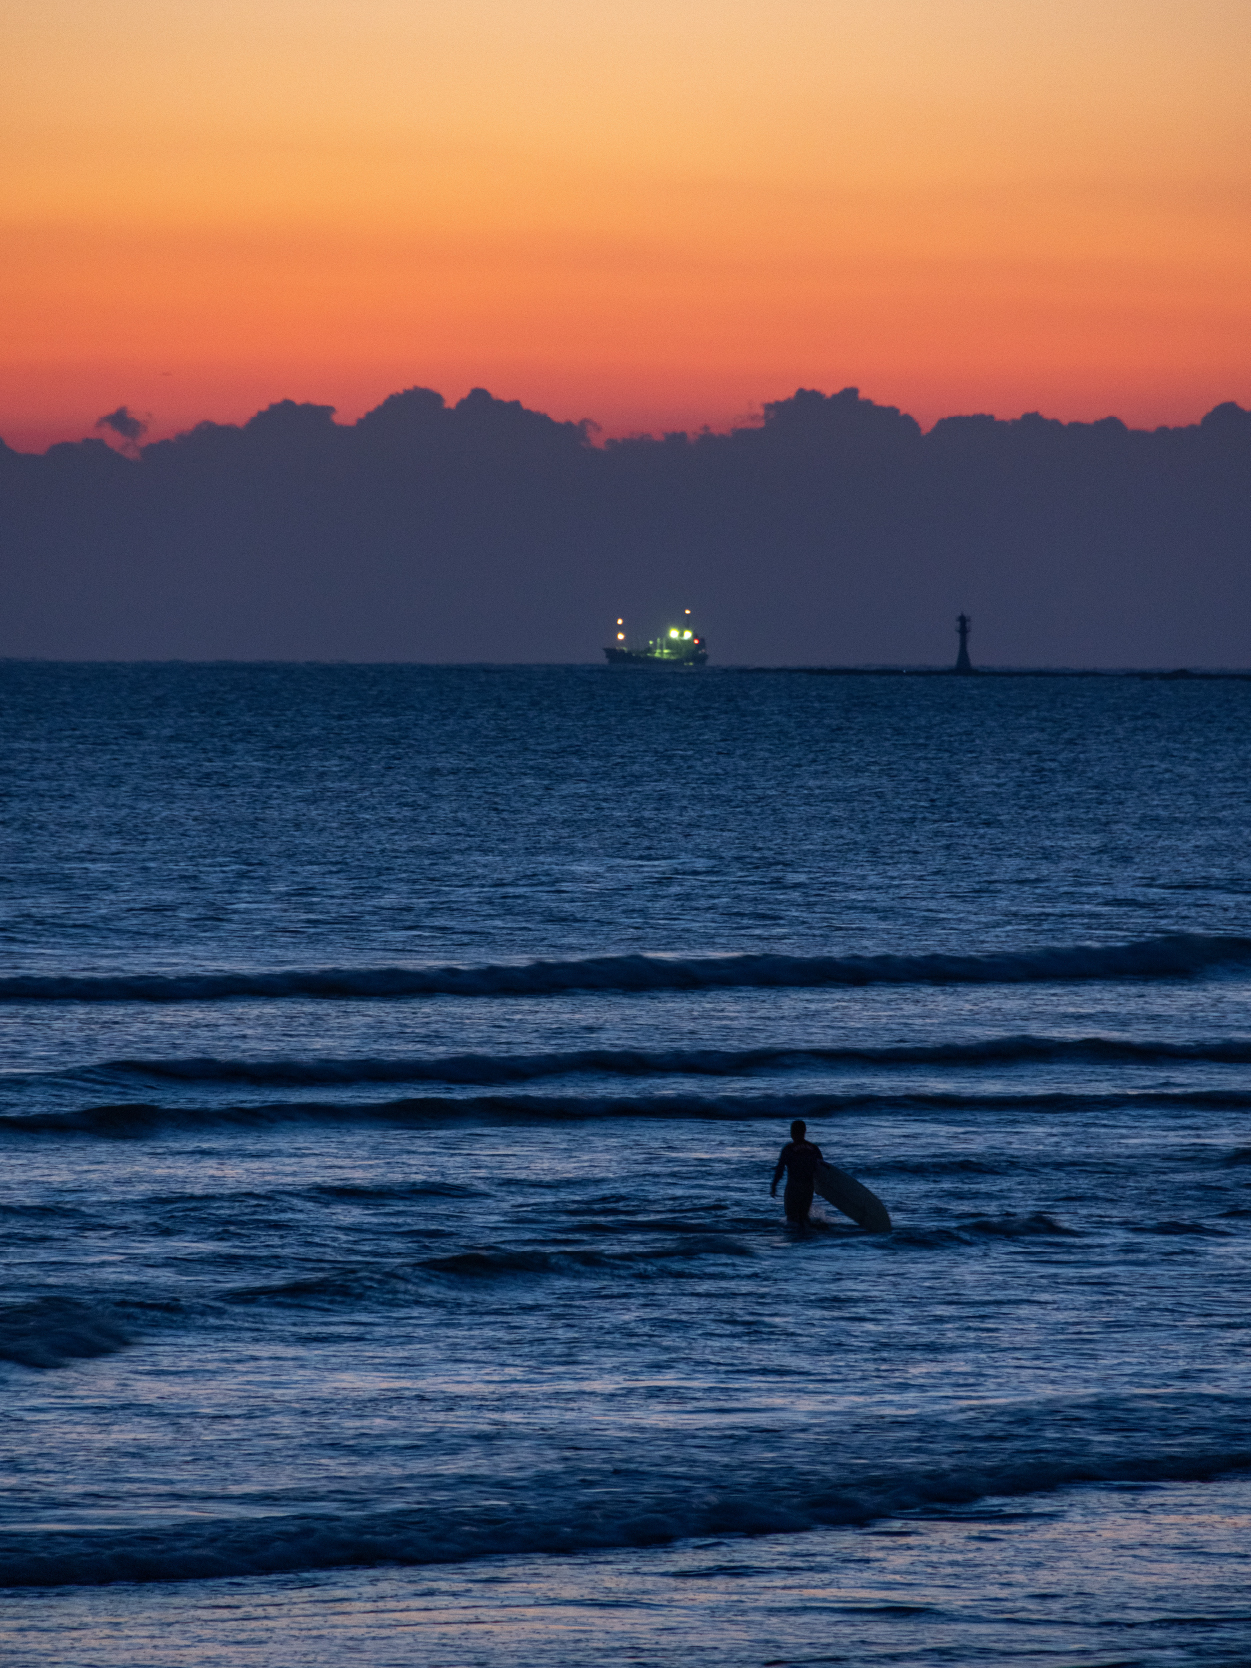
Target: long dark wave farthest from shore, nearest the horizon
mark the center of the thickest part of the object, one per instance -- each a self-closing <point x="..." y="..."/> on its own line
<point x="1172" y="957"/>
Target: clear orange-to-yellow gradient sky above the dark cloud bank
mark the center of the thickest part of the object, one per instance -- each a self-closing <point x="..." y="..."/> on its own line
<point x="656" y="213"/>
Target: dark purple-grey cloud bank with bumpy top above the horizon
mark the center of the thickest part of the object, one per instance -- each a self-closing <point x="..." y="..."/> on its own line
<point x="835" y="533"/>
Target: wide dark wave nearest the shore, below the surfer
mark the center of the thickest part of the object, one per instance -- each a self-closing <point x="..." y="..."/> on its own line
<point x="661" y="1499"/>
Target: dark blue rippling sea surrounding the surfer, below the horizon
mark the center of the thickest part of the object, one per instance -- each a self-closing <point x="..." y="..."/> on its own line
<point x="394" y="1063"/>
